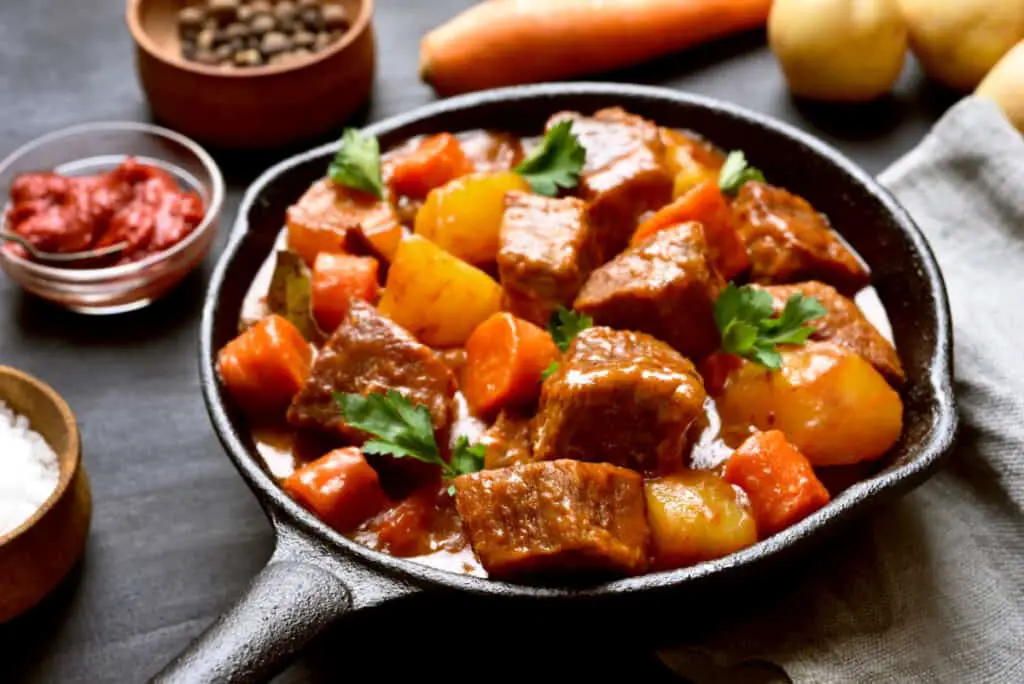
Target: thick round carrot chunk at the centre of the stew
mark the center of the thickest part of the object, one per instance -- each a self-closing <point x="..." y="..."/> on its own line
<point x="505" y="358"/>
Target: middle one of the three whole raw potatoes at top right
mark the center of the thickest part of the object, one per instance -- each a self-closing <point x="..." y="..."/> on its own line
<point x="959" y="41"/>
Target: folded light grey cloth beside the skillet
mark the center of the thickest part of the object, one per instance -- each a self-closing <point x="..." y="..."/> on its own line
<point x="932" y="588"/>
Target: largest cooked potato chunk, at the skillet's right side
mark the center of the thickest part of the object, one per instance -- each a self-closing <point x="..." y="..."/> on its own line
<point x="829" y="402"/>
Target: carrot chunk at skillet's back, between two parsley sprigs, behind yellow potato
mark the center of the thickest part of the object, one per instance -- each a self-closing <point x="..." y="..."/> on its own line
<point x="435" y="162"/>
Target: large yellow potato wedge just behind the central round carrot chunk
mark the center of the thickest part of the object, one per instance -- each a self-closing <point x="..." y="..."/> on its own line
<point x="436" y="296"/>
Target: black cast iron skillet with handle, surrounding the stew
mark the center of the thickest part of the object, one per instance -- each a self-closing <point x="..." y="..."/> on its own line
<point x="317" y="576"/>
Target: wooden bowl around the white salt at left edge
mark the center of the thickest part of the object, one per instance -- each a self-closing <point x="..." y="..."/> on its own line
<point x="37" y="555"/>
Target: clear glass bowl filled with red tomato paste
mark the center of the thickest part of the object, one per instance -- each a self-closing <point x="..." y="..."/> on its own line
<point x="98" y="186"/>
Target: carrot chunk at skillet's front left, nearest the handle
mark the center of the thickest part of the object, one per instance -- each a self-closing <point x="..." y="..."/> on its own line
<point x="340" y="489"/>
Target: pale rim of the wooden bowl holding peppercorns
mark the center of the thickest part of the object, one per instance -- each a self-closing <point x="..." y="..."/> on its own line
<point x="142" y="38"/>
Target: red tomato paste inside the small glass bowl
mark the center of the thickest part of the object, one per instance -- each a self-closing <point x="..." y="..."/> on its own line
<point x="140" y="205"/>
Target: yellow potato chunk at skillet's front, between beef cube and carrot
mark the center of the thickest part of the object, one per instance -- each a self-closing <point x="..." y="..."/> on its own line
<point x="695" y="517"/>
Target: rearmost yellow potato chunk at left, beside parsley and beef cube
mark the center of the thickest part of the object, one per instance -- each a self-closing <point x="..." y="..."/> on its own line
<point x="464" y="217"/>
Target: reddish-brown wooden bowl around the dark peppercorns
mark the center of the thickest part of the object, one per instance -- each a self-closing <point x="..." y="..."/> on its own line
<point x="258" y="107"/>
